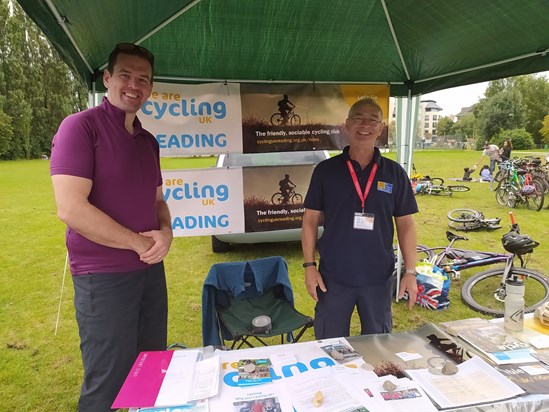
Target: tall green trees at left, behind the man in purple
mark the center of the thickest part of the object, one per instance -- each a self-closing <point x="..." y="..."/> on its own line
<point x="37" y="89"/>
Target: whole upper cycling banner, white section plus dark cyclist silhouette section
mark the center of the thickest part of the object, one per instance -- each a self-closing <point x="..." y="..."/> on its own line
<point x="216" y="118"/>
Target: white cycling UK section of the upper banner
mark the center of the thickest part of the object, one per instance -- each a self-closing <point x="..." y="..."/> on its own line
<point x="194" y="119"/>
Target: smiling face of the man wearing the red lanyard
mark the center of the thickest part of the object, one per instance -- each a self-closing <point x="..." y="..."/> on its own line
<point x="364" y="124"/>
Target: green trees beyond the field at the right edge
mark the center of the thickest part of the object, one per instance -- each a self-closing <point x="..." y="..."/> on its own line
<point x="515" y="108"/>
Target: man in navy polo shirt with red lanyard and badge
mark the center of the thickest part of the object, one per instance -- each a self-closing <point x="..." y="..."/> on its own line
<point x="358" y="193"/>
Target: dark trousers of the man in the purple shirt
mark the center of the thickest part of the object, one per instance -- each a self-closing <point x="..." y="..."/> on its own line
<point x="118" y="315"/>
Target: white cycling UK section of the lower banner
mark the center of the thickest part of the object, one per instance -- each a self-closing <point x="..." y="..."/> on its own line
<point x="204" y="201"/>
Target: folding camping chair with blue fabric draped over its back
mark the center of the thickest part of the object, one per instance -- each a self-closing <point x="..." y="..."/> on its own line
<point x="236" y="293"/>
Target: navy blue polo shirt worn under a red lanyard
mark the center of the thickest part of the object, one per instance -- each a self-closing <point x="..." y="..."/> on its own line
<point x="351" y="256"/>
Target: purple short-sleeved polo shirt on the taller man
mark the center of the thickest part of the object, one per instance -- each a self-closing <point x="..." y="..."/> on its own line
<point x="125" y="171"/>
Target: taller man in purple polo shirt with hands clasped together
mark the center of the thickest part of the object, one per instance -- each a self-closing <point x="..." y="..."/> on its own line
<point x="105" y="170"/>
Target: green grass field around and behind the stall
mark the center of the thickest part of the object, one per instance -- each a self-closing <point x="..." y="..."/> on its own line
<point x="41" y="371"/>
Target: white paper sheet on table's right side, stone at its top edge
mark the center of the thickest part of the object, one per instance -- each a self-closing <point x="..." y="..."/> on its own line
<point x="476" y="382"/>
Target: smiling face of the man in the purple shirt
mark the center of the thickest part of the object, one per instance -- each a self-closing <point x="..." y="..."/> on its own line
<point x="130" y="84"/>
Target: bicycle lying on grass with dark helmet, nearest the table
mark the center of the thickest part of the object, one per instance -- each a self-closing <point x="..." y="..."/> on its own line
<point x="485" y="291"/>
